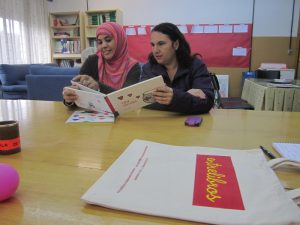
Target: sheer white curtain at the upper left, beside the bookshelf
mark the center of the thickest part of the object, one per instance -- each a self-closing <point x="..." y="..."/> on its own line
<point x="24" y="32"/>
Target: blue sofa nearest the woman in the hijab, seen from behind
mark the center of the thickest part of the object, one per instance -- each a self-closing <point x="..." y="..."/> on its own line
<point x="47" y="83"/>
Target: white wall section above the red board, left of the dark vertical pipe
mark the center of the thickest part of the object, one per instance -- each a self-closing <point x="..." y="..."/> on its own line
<point x="178" y="11"/>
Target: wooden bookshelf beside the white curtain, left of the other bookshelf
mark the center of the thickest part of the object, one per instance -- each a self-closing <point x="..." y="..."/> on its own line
<point x="67" y="37"/>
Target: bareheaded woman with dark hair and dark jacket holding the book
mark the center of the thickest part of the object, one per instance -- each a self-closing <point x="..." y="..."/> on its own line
<point x="188" y="86"/>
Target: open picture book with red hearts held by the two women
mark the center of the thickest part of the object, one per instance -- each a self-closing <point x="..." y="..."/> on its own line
<point x="127" y="99"/>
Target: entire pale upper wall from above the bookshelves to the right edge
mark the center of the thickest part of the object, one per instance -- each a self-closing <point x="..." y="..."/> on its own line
<point x="271" y="17"/>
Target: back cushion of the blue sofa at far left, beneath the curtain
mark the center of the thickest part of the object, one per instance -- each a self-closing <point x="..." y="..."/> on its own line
<point x="11" y="74"/>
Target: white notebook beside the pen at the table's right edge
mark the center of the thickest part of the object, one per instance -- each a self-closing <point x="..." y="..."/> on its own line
<point x="288" y="150"/>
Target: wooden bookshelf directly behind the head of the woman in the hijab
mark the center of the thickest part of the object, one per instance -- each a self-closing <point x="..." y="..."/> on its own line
<point x="94" y="18"/>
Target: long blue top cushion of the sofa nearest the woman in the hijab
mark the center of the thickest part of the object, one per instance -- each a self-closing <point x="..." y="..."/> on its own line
<point x="50" y="70"/>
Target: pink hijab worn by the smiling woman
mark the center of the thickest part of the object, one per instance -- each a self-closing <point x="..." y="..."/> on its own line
<point x="113" y="72"/>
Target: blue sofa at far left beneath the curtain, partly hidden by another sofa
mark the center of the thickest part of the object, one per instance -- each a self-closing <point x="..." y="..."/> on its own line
<point x="13" y="80"/>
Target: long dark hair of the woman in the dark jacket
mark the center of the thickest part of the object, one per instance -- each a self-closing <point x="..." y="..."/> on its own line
<point x="183" y="53"/>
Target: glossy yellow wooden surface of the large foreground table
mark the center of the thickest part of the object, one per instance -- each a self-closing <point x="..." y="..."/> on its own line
<point x="59" y="161"/>
